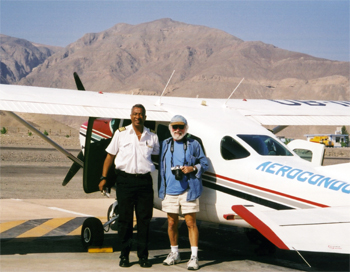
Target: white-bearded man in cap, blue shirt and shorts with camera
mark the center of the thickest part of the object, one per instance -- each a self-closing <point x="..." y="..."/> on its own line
<point x="182" y="162"/>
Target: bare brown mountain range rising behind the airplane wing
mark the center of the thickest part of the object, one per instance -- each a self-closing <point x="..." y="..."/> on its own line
<point x="208" y="62"/>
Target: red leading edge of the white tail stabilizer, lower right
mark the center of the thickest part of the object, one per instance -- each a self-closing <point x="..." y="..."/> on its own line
<point x="259" y="225"/>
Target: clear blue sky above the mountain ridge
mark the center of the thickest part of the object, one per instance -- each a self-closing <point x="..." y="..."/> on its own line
<point x="318" y="28"/>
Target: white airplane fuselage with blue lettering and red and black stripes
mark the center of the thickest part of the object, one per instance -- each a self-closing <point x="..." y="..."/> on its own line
<point x="243" y="171"/>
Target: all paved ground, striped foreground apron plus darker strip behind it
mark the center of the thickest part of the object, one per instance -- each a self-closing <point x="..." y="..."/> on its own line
<point x="40" y="226"/>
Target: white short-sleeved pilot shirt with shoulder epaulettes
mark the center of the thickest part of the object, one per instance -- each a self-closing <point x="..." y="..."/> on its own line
<point x="134" y="156"/>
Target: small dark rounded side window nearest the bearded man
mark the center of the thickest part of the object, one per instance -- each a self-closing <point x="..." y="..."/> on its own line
<point x="230" y="149"/>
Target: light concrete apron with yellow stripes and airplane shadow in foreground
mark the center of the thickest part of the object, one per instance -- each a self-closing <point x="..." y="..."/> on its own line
<point x="44" y="235"/>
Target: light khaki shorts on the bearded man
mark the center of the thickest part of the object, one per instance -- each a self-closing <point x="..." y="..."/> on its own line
<point x="179" y="205"/>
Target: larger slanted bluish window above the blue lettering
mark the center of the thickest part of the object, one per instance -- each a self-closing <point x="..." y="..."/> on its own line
<point x="265" y="145"/>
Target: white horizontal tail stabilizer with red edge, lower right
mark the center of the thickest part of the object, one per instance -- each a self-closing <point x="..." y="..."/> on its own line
<point x="319" y="229"/>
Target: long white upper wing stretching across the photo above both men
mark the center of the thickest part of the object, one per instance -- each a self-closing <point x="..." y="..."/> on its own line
<point x="111" y="105"/>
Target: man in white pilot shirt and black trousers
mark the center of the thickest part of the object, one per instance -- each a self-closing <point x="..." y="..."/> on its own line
<point x="131" y="149"/>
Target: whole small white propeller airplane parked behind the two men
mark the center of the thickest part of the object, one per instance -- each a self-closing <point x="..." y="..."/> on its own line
<point x="254" y="180"/>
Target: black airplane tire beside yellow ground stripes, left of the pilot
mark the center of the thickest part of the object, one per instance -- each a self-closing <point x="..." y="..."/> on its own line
<point x="92" y="232"/>
